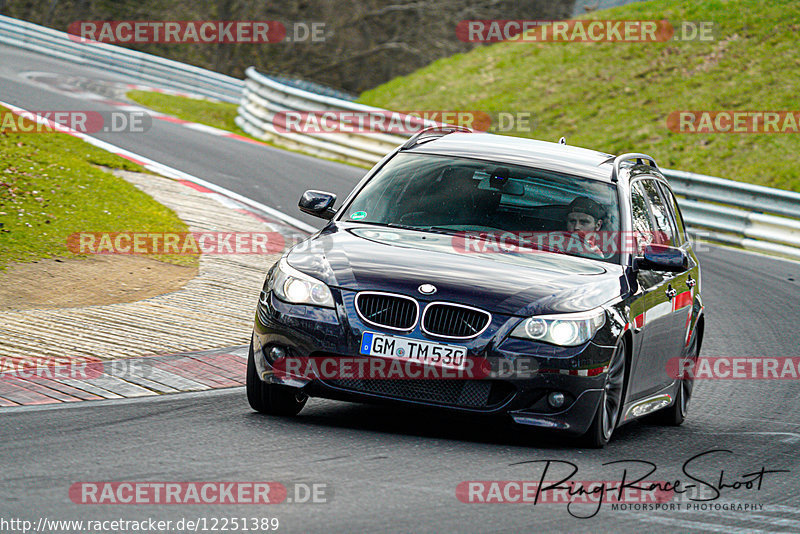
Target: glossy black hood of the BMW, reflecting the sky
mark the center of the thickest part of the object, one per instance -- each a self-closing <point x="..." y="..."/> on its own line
<point x="362" y="257"/>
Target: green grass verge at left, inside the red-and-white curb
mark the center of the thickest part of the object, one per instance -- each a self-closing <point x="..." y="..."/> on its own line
<point x="51" y="187"/>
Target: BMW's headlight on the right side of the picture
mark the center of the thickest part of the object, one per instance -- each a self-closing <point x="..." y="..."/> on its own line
<point x="567" y="330"/>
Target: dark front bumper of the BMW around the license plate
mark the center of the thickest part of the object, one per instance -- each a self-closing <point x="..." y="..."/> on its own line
<point x="519" y="391"/>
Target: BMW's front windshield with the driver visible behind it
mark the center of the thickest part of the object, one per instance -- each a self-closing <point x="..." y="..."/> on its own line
<point x="499" y="207"/>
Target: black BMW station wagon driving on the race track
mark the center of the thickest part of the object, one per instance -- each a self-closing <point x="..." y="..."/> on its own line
<point x="489" y="274"/>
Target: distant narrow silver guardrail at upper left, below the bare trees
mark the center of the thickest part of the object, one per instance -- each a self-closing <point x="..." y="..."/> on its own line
<point x="146" y="68"/>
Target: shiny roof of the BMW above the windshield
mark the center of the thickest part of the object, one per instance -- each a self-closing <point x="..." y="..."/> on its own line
<point x="519" y="151"/>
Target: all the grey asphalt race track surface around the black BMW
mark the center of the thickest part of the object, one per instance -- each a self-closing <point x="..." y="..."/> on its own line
<point x="390" y="469"/>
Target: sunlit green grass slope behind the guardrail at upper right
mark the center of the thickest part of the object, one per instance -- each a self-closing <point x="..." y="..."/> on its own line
<point x="616" y="97"/>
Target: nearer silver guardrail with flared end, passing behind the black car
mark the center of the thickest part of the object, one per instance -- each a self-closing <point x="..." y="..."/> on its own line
<point x="725" y="211"/>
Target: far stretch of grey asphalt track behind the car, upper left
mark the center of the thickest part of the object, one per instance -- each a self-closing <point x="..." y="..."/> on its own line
<point x="271" y="176"/>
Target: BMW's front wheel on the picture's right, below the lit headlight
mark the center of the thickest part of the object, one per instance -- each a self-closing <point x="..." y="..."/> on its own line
<point x="607" y="416"/>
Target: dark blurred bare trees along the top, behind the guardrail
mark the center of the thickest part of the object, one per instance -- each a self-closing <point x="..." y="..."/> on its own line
<point x="366" y="42"/>
